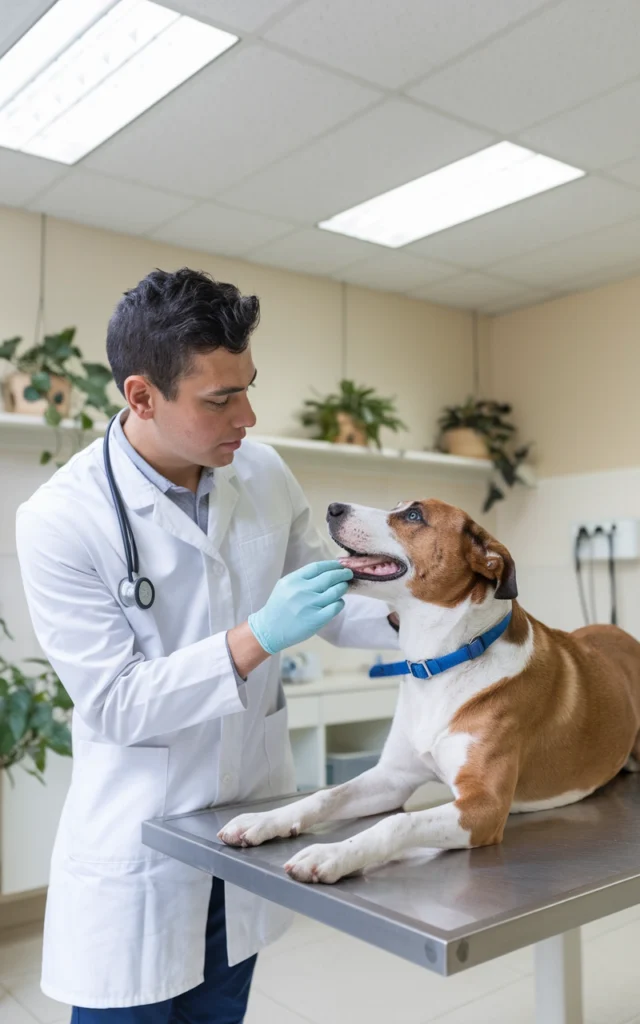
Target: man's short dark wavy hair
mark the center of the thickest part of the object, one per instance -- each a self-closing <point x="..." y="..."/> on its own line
<point x="160" y="325"/>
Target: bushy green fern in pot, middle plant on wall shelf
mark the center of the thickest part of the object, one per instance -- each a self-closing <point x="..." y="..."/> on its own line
<point x="354" y="416"/>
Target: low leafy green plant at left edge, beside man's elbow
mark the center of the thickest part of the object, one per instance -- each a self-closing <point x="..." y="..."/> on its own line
<point x="34" y="716"/>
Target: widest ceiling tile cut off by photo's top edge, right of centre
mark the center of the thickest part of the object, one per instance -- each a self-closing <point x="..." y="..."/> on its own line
<point x="393" y="44"/>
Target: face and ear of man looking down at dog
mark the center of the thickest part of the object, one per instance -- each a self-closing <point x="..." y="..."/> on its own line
<point x="206" y="422"/>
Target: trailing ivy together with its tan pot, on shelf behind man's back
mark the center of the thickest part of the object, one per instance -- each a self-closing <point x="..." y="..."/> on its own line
<point x="45" y="379"/>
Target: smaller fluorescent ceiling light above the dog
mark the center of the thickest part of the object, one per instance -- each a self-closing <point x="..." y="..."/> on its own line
<point x="488" y="181"/>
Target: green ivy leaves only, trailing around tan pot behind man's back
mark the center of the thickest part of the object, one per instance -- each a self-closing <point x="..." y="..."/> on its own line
<point x="57" y="356"/>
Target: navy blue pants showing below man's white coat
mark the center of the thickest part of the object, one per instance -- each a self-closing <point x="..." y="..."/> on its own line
<point x="221" y="999"/>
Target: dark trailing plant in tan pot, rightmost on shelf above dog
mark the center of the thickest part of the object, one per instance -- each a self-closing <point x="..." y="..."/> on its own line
<point x="479" y="430"/>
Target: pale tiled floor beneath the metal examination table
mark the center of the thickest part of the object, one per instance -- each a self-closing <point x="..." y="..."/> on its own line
<point x="317" y="976"/>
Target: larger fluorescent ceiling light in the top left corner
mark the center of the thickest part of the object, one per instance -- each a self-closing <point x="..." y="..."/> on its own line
<point x="90" y="67"/>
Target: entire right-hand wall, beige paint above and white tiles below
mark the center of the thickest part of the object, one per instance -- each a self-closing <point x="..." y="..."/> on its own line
<point x="572" y="369"/>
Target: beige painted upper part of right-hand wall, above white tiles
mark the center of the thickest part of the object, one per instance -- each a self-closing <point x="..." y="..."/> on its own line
<point x="572" y="370"/>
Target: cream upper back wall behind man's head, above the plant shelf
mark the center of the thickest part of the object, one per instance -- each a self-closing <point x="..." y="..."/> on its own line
<point x="420" y="353"/>
